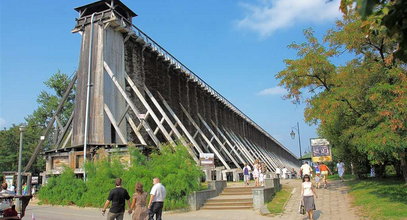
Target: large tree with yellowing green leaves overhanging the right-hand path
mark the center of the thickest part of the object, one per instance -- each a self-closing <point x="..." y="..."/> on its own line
<point x="359" y="106"/>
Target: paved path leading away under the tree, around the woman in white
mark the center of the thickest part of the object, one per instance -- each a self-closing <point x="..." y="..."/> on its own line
<point x="332" y="203"/>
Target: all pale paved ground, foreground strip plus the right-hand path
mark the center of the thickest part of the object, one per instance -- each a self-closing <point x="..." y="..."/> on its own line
<point x="330" y="203"/>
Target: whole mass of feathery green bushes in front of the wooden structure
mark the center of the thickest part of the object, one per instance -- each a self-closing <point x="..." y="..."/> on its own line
<point x="176" y="169"/>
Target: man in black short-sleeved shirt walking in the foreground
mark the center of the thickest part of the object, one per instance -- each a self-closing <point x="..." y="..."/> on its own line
<point x="117" y="197"/>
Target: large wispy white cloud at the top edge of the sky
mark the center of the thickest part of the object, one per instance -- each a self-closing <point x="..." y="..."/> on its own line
<point x="270" y="15"/>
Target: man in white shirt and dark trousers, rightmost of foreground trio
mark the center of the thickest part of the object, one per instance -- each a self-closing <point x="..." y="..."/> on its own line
<point x="157" y="196"/>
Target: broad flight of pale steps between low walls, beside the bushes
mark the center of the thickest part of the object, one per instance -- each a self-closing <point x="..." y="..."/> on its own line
<point x="231" y="198"/>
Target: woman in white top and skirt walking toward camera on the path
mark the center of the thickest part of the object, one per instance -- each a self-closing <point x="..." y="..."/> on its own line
<point x="308" y="193"/>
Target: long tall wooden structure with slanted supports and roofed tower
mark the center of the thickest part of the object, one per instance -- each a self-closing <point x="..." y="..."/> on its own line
<point x="137" y="92"/>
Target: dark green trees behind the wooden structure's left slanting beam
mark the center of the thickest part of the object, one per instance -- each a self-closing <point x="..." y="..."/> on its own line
<point x="47" y="104"/>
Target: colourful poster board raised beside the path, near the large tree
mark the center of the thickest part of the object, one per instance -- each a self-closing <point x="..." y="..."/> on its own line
<point x="321" y="150"/>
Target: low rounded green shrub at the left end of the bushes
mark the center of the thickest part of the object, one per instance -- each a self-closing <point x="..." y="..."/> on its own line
<point x="64" y="189"/>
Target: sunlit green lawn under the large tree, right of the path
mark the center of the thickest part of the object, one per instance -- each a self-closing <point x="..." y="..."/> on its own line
<point x="380" y="199"/>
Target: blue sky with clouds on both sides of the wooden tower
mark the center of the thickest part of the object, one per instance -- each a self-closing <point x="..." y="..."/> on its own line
<point x="235" y="46"/>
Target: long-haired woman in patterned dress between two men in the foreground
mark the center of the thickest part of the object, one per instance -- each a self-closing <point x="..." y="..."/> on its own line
<point x="139" y="204"/>
